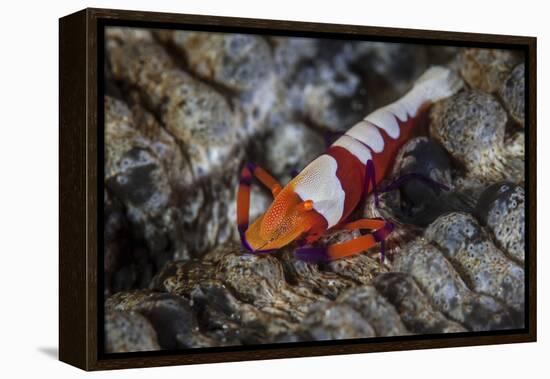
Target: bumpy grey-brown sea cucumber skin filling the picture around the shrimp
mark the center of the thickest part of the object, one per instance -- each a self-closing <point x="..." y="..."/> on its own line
<point x="185" y="110"/>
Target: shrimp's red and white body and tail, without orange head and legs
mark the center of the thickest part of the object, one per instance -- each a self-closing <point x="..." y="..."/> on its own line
<point x="335" y="180"/>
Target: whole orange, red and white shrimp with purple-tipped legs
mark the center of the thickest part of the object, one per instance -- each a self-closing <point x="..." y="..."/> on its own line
<point x="323" y="195"/>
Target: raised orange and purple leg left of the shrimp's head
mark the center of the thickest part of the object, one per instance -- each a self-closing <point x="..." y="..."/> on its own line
<point x="243" y="194"/>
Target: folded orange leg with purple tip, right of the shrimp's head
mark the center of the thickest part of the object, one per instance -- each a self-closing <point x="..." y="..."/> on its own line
<point x="381" y="231"/>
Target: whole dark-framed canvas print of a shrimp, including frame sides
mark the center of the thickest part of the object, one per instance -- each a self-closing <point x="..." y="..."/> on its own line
<point x="238" y="189"/>
